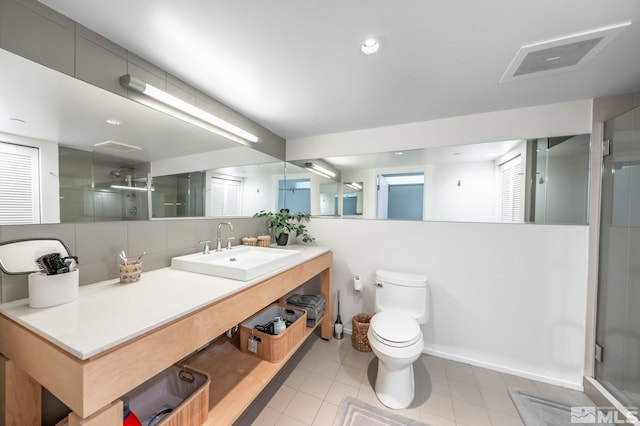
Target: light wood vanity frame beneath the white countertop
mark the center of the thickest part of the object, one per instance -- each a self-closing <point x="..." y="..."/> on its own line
<point x="91" y="387"/>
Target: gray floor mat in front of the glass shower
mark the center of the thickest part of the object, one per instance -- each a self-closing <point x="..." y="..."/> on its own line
<point x="536" y="409"/>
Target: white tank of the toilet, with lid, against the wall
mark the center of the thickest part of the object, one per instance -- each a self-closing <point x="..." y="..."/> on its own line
<point x="397" y="291"/>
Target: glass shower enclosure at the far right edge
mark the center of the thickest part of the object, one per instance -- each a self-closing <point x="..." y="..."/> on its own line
<point x="618" y="318"/>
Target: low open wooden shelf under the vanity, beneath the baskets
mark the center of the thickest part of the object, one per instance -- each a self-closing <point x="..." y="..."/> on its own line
<point x="235" y="402"/>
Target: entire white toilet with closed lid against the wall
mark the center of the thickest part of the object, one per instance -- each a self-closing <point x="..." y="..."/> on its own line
<point x="401" y="304"/>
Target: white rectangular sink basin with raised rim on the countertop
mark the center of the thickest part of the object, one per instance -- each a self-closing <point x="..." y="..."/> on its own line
<point x="240" y="263"/>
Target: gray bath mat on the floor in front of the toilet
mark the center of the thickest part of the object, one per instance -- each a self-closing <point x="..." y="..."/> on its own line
<point x="353" y="412"/>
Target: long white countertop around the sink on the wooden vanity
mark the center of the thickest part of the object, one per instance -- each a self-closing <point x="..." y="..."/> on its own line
<point x="108" y="313"/>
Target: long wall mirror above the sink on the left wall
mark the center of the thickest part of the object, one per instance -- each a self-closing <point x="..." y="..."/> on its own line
<point x="100" y="156"/>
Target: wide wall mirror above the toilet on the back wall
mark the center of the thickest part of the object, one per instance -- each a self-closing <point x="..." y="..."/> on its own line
<point x="542" y="180"/>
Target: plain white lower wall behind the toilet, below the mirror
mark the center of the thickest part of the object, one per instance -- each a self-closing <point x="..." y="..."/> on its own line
<point x="511" y="297"/>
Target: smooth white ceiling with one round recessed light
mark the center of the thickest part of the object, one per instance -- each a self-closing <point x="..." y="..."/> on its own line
<point x="295" y="66"/>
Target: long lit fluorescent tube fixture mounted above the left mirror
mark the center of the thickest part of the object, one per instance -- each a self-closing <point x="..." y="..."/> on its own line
<point x="159" y="95"/>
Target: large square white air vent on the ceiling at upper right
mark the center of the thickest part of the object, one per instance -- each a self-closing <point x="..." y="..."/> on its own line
<point x="560" y="54"/>
